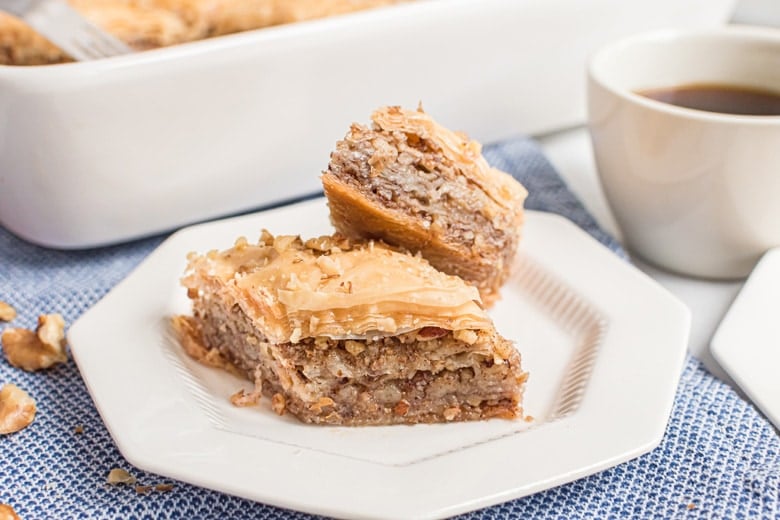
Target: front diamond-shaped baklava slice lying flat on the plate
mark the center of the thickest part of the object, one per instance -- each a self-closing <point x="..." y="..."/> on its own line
<point x="349" y="333"/>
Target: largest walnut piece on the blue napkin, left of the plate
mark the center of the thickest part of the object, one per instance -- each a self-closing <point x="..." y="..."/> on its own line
<point x="37" y="350"/>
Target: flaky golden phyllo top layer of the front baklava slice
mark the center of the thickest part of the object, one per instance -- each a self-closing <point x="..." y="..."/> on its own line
<point x="332" y="287"/>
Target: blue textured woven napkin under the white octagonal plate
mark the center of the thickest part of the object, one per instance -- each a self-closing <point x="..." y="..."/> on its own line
<point x="719" y="457"/>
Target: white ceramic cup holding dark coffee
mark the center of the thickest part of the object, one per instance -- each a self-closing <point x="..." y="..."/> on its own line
<point x="695" y="192"/>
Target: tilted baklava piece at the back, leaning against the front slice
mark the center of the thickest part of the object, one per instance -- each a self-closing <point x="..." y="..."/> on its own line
<point x="411" y="182"/>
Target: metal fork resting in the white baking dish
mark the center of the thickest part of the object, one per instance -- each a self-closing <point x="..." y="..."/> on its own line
<point x="66" y="28"/>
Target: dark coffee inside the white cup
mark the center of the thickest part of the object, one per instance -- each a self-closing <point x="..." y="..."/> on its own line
<point x="727" y="99"/>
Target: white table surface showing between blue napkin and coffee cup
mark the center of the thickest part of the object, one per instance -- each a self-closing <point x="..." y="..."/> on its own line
<point x="570" y="152"/>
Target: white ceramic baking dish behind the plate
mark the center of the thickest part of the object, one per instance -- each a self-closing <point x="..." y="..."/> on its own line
<point x="100" y="152"/>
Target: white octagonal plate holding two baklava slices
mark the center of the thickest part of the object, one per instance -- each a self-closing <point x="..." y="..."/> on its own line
<point x="604" y="345"/>
